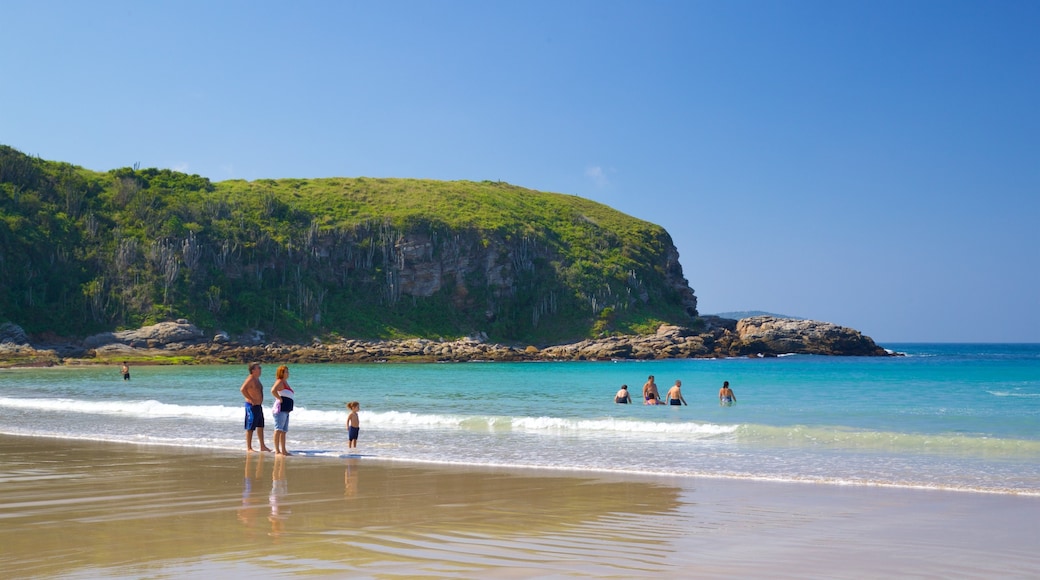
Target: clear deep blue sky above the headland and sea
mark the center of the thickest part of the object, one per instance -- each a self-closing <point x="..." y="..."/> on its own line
<point x="874" y="165"/>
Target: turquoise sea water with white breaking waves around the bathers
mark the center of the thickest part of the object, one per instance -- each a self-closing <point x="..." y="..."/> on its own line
<point x="946" y="416"/>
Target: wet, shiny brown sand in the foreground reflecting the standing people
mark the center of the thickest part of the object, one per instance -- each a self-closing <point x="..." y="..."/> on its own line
<point x="79" y="510"/>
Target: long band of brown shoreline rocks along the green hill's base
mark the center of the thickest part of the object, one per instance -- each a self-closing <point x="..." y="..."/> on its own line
<point x="761" y="336"/>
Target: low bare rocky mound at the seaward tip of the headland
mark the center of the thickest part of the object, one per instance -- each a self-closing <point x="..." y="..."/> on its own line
<point x="769" y="335"/>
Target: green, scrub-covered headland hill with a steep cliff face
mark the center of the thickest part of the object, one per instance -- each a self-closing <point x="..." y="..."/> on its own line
<point x="85" y="252"/>
